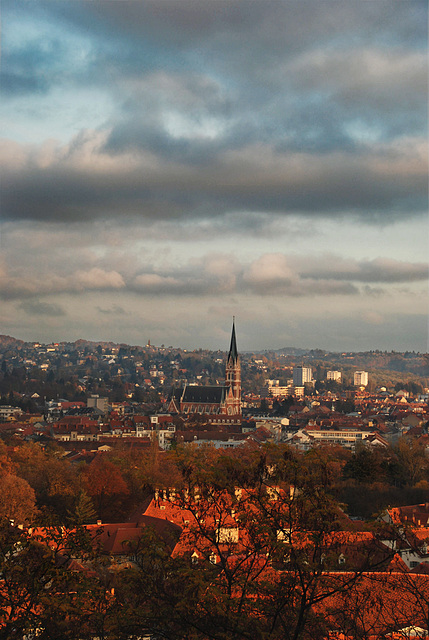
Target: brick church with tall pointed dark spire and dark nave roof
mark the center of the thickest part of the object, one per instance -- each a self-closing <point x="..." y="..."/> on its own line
<point x="221" y="405"/>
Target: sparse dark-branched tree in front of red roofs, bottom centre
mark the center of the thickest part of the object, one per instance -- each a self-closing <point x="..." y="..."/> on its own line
<point x="252" y="563"/>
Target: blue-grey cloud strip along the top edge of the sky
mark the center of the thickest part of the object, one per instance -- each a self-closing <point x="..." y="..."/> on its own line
<point x="293" y="24"/>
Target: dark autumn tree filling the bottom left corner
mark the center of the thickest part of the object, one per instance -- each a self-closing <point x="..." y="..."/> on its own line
<point x="42" y="594"/>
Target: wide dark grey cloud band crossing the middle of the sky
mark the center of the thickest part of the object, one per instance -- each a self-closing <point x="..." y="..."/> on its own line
<point x="83" y="183"/>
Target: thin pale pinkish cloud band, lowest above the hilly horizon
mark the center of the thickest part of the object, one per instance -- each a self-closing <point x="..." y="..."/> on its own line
<point x="220" y="274"/>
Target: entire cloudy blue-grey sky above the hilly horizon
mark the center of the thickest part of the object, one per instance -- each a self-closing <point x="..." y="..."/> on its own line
<point x="168" y="164"/>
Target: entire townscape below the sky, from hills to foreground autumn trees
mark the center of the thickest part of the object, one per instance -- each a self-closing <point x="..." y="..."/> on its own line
<point x="251" y="478"/>
